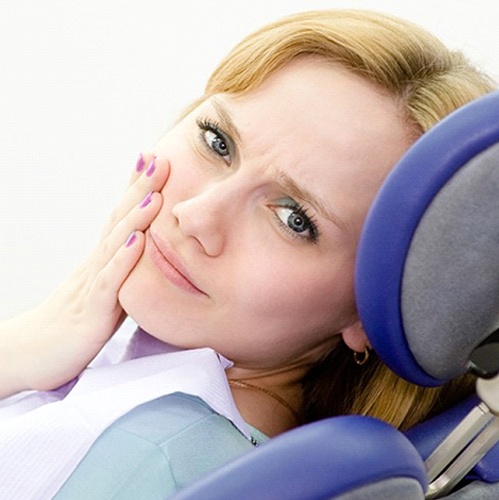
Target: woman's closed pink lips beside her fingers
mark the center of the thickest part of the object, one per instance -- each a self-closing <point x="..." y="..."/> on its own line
<point x="170" y="264"/>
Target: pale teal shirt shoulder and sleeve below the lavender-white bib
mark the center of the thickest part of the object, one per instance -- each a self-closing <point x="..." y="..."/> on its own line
<point x="156" y="449"/>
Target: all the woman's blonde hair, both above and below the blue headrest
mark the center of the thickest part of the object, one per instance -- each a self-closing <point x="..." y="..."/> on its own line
<point x="428" y="81"/>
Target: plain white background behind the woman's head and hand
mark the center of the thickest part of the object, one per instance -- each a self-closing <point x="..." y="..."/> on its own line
<point x="85" y="85"/>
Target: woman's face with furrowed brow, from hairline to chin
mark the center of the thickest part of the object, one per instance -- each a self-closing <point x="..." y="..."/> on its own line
<point x="261" y="216"/>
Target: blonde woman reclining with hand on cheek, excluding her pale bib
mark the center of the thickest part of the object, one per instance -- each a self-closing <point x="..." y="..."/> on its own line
<point x="241" y="228"/>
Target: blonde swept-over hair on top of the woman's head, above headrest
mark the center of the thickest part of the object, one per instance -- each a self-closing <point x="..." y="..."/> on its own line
<point x="401" y="58"/>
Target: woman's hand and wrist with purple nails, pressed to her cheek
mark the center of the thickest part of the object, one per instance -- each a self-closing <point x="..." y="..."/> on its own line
<point x="51" y="344"/>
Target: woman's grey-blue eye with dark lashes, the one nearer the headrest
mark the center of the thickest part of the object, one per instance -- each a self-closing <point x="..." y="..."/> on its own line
<point x="294" y="220"/>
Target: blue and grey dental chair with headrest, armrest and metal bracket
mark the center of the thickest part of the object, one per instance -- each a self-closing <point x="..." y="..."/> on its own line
<point x="427" y="284"/>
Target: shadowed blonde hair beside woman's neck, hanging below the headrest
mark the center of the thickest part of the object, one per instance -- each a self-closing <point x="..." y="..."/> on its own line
<point x="338" y="386"/>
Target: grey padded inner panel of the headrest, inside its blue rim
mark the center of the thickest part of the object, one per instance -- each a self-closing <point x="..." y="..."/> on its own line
<point x="450" y="286"/>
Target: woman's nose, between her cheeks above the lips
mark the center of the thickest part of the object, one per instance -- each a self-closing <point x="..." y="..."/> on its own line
<point x="202" y="218"/>
